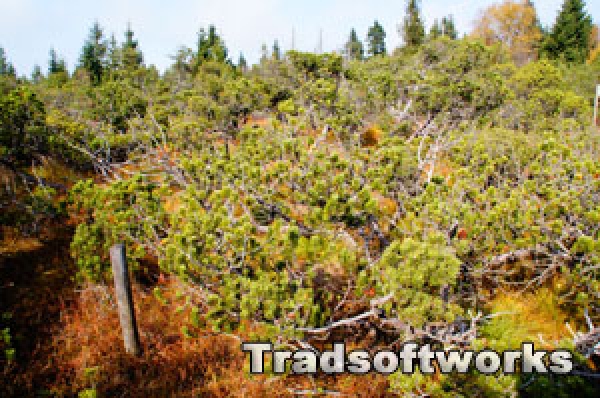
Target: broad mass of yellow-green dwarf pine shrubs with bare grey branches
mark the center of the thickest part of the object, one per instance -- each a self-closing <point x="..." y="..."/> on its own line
<point x="300" y="191"/>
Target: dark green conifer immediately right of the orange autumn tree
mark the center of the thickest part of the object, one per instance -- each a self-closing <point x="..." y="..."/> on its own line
<point x="570" y="36"/>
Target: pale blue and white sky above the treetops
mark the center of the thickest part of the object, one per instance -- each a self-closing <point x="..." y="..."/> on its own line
<point x="29" y="28"/>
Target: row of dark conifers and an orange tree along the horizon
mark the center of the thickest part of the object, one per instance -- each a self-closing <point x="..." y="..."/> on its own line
<point x="514" y="24"/>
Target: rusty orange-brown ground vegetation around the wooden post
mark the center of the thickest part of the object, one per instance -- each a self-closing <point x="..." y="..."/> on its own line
<point x="77" y="343"/>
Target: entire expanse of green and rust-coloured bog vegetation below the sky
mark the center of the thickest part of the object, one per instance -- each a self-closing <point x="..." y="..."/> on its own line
<point x="447" y="192"/>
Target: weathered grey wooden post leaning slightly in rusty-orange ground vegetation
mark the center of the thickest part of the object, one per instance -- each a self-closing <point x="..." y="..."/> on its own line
<point x="125" y="299"/>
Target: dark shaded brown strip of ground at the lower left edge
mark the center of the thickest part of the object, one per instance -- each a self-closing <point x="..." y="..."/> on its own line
<point x="35" y="284"/>
